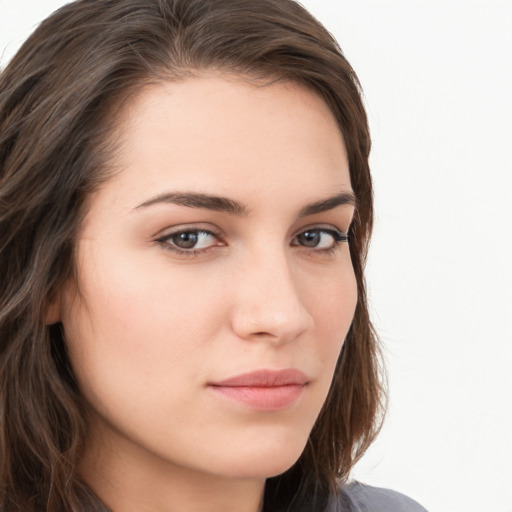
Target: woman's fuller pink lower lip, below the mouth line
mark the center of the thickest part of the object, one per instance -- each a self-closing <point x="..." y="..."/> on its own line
<point x="262" y="398"/>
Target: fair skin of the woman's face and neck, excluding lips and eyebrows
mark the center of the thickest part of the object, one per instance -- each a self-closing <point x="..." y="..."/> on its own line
<point x="151" y="328"/>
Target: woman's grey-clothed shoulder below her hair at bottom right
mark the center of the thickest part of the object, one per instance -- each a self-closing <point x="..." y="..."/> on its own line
<point x="357" y="497"/>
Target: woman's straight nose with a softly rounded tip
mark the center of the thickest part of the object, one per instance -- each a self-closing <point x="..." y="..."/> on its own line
<point x="268" y="301"/>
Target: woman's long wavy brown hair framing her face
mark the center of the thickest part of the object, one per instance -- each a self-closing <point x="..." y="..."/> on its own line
<point x="58" y="98"/>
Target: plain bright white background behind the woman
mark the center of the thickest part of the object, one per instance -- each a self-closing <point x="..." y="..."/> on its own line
<point x="437" y="77"/>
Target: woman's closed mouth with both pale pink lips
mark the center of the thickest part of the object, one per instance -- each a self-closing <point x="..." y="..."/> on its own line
<point x="263" y="390"/>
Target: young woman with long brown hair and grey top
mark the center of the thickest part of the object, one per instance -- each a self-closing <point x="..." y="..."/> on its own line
<point x="185" y="207"/>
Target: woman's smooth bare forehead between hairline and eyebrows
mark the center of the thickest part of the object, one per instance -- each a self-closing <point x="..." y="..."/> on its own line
<point x="230" y="136"/>
